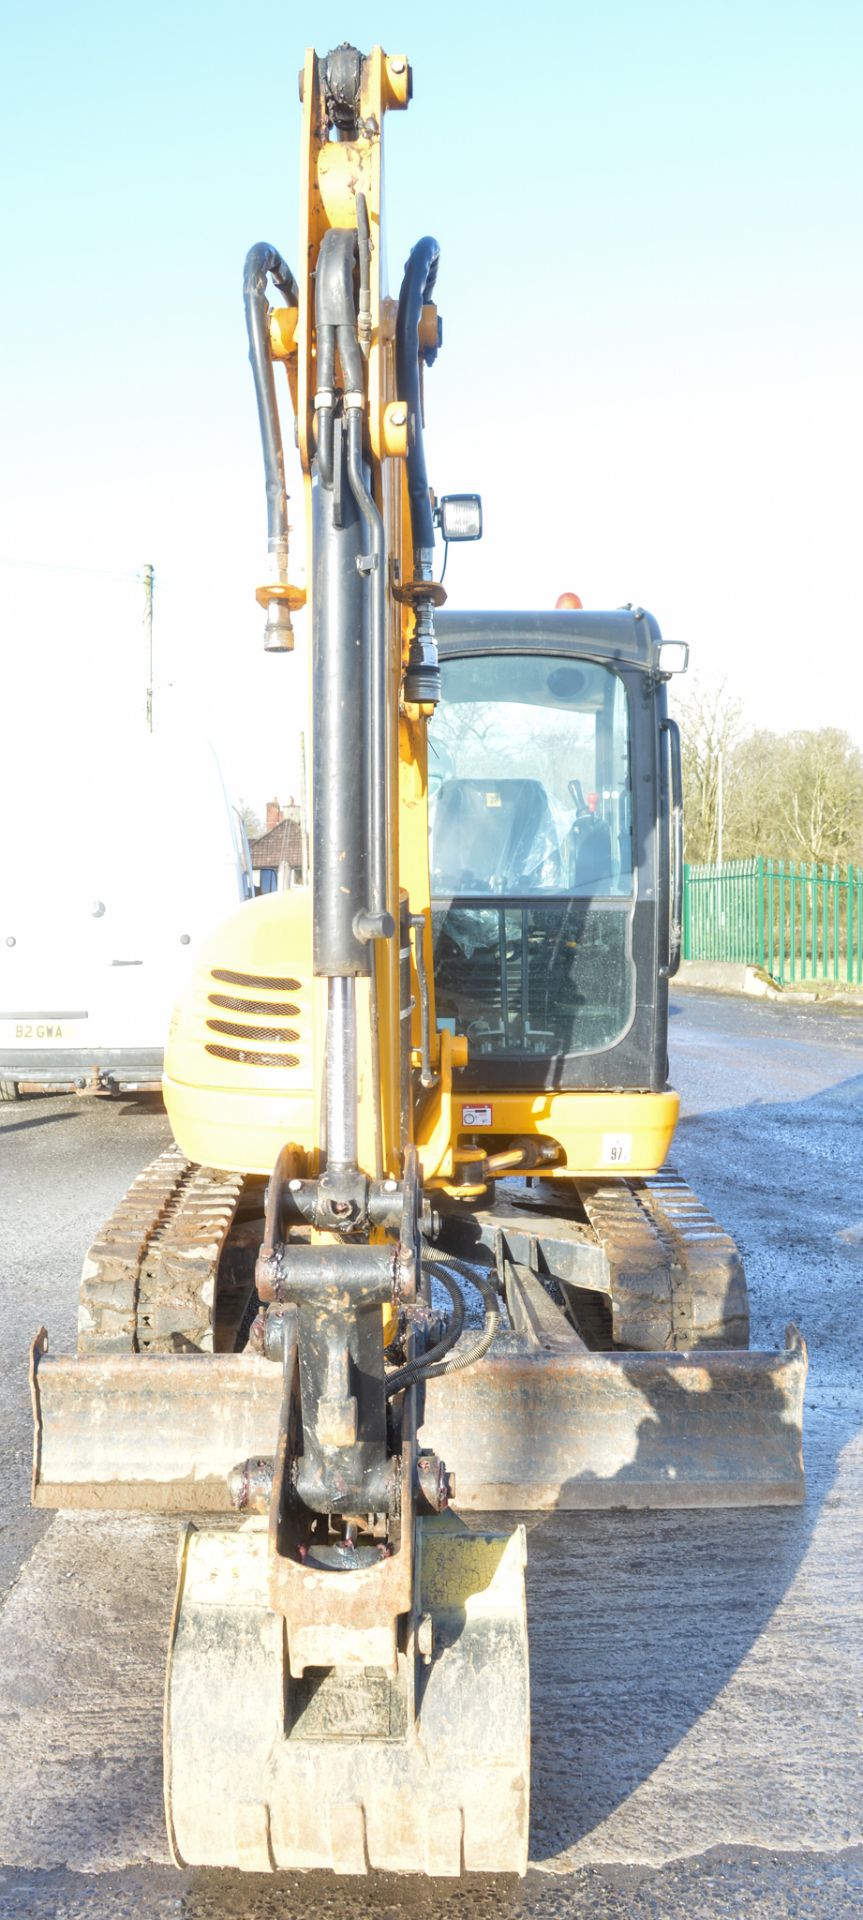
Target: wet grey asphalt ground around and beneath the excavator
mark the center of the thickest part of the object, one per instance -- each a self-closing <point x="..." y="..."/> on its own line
<point x="697" y="1679"/>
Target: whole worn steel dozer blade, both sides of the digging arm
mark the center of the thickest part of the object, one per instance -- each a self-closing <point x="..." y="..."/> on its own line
<point x="526" y="1429"/>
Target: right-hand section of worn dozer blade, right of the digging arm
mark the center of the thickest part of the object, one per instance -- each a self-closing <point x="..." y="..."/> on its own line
<point x="533" y="1429"/>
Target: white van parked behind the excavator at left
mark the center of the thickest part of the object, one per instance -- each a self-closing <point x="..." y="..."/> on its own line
<point x="111" y="876"/>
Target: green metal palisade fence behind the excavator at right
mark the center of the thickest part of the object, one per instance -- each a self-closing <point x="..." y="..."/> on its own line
<point x="793" y="919"/>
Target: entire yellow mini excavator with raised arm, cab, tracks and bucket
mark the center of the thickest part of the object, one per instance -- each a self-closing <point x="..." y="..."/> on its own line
<point x="416" y="1260"/>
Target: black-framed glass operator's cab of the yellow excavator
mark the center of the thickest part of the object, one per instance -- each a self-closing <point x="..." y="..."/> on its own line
<point x="555" y="780"/>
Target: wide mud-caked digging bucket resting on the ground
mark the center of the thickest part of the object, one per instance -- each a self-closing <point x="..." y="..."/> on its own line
<point x="351" y="1769"/>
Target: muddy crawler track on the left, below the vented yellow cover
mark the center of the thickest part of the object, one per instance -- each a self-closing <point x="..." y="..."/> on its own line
<point x="149" y="1280"/>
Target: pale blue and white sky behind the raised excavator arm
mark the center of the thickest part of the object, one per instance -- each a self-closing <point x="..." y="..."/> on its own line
<point x="653" y="300"/>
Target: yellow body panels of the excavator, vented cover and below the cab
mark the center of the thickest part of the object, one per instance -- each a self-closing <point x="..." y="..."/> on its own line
<point x="245" y="1061"/>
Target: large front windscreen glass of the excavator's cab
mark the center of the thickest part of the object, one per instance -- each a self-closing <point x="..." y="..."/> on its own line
<point x="531" y="853"/>
